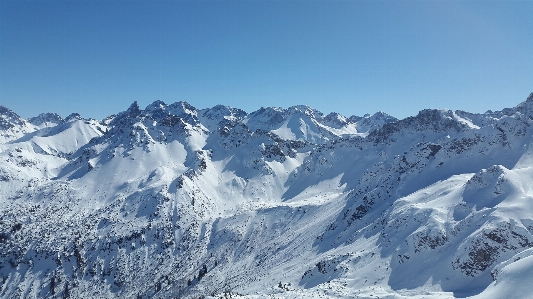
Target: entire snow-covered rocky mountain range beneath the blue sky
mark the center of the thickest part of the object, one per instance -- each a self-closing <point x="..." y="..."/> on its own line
<point x="174" y="202"/>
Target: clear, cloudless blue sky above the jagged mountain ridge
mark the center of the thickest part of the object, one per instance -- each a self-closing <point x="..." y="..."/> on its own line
<point x="352" y="57"/>
